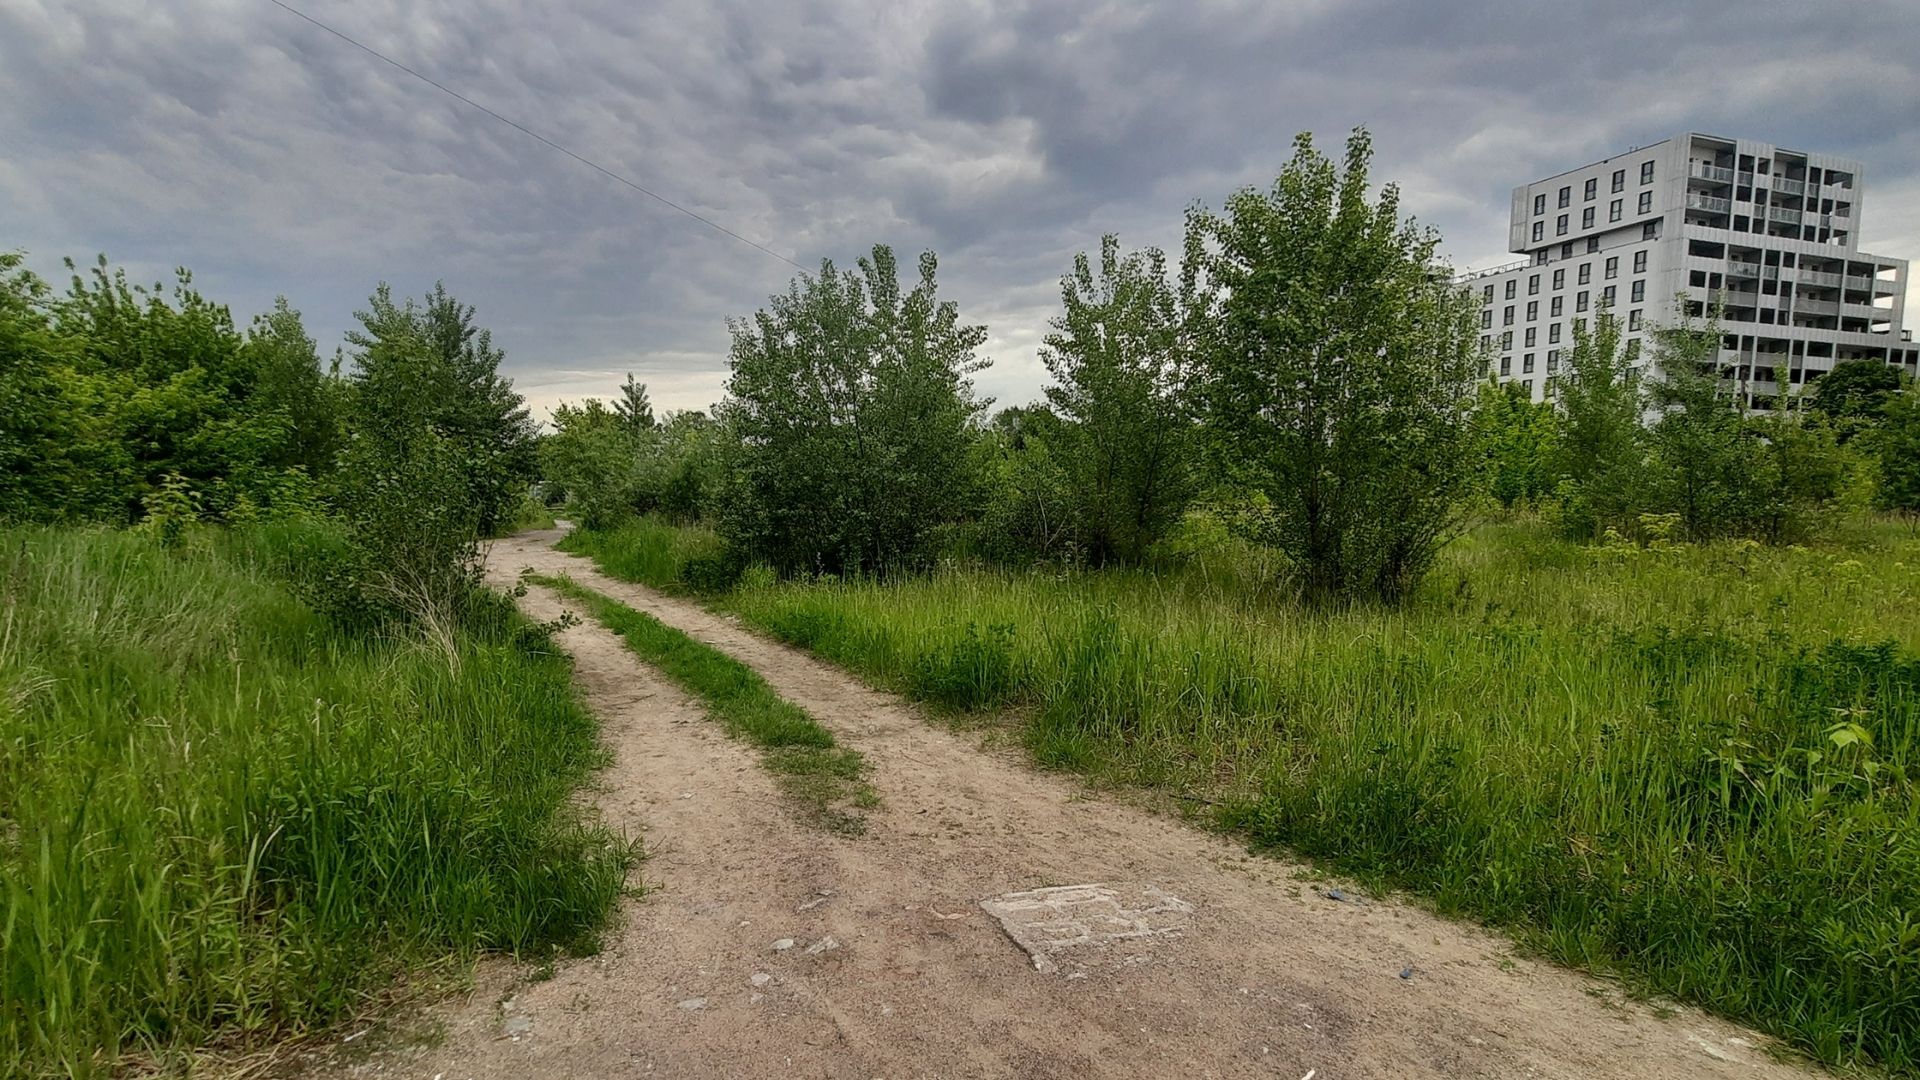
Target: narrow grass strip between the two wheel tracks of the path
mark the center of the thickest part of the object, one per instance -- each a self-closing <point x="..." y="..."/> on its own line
<point x="827" y="779"/>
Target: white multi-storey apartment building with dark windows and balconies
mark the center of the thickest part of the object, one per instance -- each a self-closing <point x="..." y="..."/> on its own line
<point x="1764" y="232"/>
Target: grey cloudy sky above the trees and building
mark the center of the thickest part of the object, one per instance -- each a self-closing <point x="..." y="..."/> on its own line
<point x="274" y="159"/>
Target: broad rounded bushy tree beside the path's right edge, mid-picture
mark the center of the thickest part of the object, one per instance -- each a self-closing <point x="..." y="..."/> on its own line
<point x="850" y="416"/>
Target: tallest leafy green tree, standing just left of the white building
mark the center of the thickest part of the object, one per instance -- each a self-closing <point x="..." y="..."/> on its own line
<point x="1339" y="362"/>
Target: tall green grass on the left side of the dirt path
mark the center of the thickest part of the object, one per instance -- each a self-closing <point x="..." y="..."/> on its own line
<point x="222" y="822"/>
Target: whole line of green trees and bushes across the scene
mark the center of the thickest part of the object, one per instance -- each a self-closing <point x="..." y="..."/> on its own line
<point x="1307" y="370"/>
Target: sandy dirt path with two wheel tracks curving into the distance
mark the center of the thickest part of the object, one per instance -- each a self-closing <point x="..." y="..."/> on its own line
<point x="1268" y="977"/>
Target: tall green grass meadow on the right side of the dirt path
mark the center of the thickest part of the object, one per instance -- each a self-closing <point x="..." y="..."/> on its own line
<point x="1692" y="766"/>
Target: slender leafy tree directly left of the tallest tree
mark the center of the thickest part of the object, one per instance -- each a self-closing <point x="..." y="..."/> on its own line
<point x="1120" y="356"/>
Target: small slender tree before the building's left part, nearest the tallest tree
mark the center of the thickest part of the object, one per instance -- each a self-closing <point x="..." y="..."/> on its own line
<point x="1602" y="443"/>
